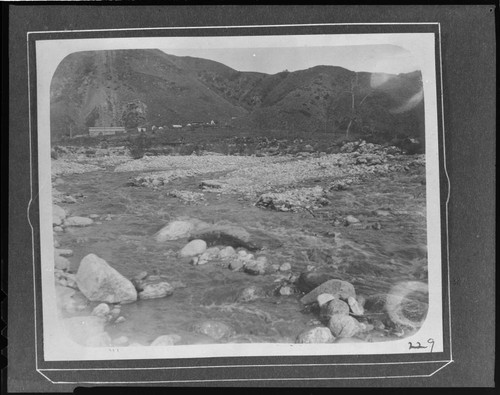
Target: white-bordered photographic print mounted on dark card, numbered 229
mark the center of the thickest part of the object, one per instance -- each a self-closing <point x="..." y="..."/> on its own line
<point x="239" y="196"/>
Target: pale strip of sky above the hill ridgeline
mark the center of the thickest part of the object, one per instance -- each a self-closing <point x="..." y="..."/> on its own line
<point x="383" y="58"/>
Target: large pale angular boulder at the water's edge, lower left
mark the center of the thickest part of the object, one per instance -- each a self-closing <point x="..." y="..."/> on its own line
<point x="99" y="282"/>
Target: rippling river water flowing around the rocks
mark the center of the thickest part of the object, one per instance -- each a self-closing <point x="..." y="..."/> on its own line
<point x="372" y="260"/>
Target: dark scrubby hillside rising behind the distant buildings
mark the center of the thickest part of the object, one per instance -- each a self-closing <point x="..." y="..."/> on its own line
<point x="95" y="88"/>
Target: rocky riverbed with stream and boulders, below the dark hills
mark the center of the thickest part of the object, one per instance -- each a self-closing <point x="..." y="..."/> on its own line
<point x="309" y="247"/>
